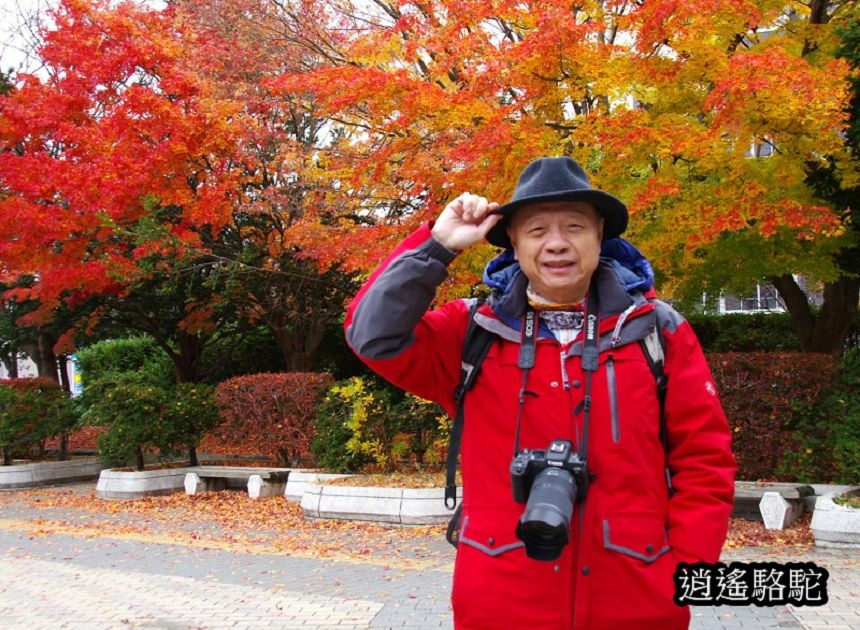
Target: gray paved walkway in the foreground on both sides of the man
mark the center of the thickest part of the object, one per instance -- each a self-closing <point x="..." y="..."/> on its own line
<point x="51" y="580"/>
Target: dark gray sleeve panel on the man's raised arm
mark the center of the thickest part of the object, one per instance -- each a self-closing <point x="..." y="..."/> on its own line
<point x="384" y="321"/>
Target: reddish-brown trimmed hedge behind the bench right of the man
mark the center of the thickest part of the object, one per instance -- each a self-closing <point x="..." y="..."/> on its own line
<point x="763" y="395"/>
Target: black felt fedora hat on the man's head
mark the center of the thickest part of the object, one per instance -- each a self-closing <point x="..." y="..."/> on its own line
<point x="558" y="179"/>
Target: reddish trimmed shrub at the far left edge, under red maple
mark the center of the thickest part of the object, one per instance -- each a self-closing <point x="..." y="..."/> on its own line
<point x="32" y="410"/>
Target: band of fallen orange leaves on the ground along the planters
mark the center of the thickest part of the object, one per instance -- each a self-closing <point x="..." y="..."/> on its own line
<point x="232" y="520"/>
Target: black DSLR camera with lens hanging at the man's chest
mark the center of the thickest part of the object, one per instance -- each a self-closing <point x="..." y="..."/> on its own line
<point x="549" y="483"/>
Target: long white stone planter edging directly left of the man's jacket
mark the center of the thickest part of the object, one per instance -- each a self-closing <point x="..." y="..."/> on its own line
<point x="407" y="506"/>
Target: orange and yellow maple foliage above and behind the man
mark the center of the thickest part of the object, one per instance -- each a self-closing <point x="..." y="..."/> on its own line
<point x="667" y="103"/>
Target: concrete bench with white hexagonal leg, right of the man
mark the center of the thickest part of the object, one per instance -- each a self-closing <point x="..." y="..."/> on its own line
<point x="777" y="504"/>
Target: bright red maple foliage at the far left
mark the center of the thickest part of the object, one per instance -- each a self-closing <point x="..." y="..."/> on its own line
<point x="120" y="130"/>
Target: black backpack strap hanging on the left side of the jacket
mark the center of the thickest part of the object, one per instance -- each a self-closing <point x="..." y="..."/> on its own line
<point x="476" y="344"/>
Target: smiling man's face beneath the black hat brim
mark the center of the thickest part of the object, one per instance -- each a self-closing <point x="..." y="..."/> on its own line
<point x="557" y="244"/>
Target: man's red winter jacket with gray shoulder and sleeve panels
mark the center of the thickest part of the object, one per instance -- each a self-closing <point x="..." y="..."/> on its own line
<point x="628" y="535"/>
